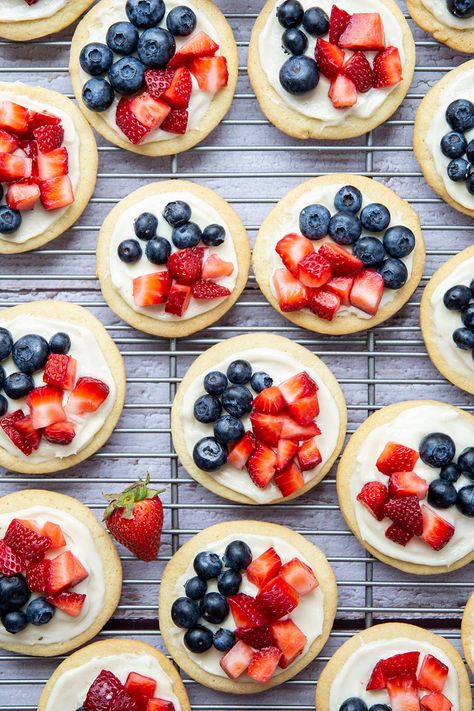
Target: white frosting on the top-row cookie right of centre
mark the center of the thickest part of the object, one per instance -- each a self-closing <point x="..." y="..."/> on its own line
<point x="316" y="104"/>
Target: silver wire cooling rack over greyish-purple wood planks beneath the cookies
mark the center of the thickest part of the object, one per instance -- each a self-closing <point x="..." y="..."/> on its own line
<point x="244" y="157"/>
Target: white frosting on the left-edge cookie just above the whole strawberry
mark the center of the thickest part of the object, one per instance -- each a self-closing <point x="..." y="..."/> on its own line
<point x="90" y="362"/>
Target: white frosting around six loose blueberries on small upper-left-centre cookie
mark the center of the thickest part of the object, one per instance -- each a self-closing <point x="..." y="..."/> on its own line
<point x="122" y="274"/>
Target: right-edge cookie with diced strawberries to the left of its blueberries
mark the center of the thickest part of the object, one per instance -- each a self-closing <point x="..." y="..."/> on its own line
<point x="405" y="486"/>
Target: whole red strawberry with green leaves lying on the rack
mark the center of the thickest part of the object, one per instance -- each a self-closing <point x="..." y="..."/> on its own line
<point x="135" y="519"/>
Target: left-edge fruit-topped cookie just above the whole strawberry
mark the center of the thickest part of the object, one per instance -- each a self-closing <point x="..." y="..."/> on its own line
<point x="62" y="386"/>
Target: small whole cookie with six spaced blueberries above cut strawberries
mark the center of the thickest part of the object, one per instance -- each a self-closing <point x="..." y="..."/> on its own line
<point x="172" y="258"/>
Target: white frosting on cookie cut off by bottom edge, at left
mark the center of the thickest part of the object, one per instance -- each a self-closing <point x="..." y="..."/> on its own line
<point x="69" y="691"/>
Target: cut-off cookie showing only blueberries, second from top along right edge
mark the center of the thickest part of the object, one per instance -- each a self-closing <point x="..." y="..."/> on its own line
<point x="443" y="138"/>
